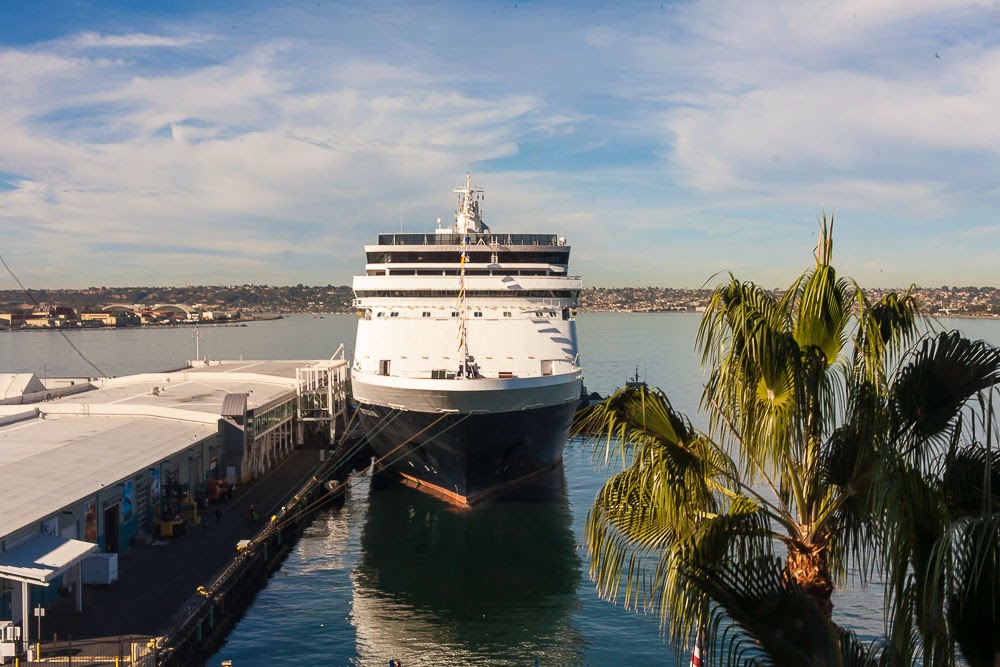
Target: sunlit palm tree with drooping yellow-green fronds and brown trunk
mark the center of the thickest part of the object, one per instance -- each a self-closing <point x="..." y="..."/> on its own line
<point x="767" y="512"/>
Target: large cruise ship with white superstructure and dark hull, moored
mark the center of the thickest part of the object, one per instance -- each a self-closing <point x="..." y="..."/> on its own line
<point x="466" y="371"/>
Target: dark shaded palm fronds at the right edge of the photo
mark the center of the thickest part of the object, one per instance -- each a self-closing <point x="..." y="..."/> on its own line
<point x="941" y="500"/>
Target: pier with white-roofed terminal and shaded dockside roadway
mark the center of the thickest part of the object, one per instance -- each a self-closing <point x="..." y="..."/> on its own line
<point x="129" y="472"/>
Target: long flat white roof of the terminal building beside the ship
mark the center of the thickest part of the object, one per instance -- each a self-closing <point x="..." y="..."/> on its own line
<point x="60" y="452"/>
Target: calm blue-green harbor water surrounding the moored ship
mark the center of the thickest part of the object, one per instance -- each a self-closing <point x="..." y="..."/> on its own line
<point x="397" y="575"/>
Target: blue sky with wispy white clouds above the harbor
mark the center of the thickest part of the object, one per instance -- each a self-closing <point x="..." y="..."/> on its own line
<point x="163" y="143"/>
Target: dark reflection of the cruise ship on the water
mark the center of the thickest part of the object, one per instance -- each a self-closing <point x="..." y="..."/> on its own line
<point x="496" y="584"/>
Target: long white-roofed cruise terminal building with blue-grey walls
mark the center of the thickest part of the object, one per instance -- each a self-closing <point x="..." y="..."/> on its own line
<point x="84" y="474"/>
